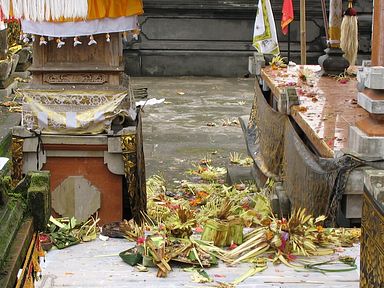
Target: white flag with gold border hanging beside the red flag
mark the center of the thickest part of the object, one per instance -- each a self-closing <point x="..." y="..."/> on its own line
<point x="264" y="33"/>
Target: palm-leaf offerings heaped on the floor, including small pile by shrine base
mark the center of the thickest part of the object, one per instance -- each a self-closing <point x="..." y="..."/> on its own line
<point x="176" y="217"/>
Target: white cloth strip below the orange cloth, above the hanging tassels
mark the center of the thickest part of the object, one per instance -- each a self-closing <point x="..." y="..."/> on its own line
<point x="80" y="28"/>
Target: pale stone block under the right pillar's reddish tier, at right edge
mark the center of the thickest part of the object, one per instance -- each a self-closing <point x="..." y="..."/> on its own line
<point x="365" y="145"/>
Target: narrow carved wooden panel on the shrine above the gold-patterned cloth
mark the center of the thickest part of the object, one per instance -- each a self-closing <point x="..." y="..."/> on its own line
<point x="75" y="78"/>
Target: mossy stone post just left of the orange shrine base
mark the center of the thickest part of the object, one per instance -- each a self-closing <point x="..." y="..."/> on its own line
<point x="39" y="199"/>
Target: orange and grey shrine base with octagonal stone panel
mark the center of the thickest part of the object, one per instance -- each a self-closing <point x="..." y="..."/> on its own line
<point x="94" y="159"/>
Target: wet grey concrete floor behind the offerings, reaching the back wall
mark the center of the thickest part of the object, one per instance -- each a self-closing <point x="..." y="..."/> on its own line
<point x="176" y="133"/>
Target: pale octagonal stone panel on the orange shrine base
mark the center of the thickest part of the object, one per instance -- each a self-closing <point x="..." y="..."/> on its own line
<point x="76" y="197"/>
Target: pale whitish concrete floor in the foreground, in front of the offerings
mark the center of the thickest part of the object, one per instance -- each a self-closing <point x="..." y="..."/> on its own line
<point x="97" y="265"/>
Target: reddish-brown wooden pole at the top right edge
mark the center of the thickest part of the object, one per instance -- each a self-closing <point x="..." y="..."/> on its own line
<point x="377" y="55"/>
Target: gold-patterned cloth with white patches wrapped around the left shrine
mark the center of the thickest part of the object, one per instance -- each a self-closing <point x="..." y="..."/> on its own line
<point x="72" y="112"/>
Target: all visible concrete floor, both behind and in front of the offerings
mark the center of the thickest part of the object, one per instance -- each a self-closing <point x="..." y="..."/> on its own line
<point x="175" y="136"/>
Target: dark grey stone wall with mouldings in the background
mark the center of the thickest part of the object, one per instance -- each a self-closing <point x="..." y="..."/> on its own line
<point x="213" y="37"/>
